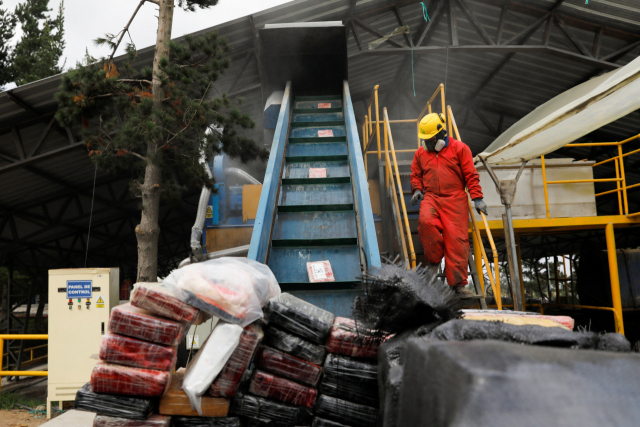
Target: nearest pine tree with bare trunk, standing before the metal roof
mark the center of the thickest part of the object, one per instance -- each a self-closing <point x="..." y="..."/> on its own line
<point x="158" y="119"/>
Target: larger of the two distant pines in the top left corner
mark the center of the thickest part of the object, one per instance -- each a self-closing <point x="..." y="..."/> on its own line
<point x="38" y="52"/>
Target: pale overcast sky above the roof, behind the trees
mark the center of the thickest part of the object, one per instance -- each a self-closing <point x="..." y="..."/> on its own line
<point x="85" y="20"/>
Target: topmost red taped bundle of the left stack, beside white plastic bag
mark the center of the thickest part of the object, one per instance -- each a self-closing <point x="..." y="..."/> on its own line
<point x="156" y="298"/>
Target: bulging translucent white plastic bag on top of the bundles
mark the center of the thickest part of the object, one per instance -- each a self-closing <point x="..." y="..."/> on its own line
<point x="233" y="289"/>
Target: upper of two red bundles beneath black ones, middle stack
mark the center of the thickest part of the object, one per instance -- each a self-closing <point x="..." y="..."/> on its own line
<point x="288" y="366"/>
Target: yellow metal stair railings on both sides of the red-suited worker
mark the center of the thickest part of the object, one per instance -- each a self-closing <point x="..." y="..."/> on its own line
<point x="371" y="131"/>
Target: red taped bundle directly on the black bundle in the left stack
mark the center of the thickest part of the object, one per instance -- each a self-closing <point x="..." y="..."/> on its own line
<point x="116" y="379"/>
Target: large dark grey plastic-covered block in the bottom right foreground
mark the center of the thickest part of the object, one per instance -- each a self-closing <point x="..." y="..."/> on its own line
<point x="494" y="384"/>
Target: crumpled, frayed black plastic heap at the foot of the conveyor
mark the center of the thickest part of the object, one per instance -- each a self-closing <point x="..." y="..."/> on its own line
<point x="397" y="299"/>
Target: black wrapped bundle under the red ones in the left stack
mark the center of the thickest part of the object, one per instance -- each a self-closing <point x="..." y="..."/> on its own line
<point x="133" y="408"/>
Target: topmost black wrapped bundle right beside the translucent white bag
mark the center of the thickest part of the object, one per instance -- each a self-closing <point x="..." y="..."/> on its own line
<point x="300" y="317"/>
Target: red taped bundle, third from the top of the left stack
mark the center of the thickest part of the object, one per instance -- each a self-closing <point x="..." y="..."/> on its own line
<point x="137" y="353"/>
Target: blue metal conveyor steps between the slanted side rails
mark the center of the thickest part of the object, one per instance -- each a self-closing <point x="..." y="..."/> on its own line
<point x="315" y="218"/>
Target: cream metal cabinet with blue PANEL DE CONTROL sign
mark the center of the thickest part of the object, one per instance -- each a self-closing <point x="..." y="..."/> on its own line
<point x="80" y="301"/>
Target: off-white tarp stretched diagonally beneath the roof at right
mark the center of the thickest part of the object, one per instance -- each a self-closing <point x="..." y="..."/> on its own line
<point x="569" y="116"/>
